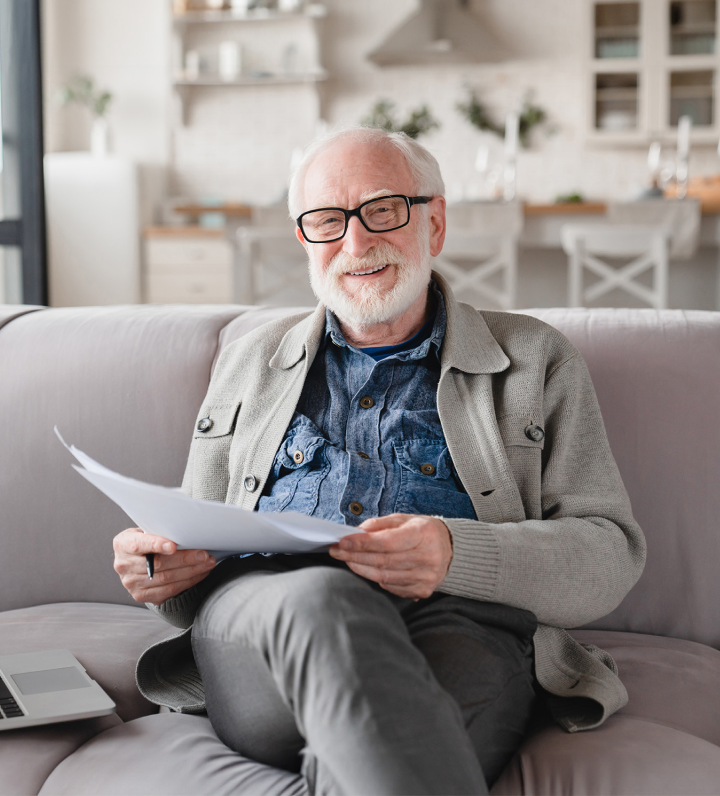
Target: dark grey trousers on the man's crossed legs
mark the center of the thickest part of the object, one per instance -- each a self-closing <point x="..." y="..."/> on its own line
<point x="309" y="667"/>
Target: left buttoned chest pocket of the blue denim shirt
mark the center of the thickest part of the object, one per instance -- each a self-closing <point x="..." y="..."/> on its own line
<point x="299" y="468"/>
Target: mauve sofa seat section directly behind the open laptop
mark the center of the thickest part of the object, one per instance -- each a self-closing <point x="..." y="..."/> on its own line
<point x="106" y="639"/>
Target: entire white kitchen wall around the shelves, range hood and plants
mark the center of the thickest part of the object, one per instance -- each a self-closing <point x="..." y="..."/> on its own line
<point x="239" y="140"/>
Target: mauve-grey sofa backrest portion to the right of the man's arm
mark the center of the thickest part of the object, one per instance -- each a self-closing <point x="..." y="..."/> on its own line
<point x="657" y="377"/>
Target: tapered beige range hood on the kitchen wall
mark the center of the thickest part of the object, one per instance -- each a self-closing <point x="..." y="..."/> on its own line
<point x="439" y="32"/>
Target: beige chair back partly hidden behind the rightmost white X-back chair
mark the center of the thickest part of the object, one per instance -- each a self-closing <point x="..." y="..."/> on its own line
<point x="681" y="217"/>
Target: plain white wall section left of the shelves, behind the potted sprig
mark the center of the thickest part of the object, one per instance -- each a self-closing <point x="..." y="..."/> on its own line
<point x="123" y="45"/>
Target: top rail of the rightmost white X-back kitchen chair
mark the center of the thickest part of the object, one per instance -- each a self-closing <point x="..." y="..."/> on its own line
<point x="612" y="240"/>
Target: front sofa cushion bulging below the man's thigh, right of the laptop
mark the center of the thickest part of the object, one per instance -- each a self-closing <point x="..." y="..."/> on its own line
<point x="168" y="754"/>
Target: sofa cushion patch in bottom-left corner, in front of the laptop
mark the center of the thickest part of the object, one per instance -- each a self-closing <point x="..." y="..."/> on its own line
<point x="27" y="757"/>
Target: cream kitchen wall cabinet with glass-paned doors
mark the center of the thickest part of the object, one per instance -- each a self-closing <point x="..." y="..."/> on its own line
<point x="649" y="63"/>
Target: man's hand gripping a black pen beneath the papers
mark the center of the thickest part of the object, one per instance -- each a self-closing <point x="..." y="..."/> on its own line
<point x="175" y="570"/>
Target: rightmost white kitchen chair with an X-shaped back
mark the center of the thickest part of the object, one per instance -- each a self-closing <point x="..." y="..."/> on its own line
<point x="647" y="245"/>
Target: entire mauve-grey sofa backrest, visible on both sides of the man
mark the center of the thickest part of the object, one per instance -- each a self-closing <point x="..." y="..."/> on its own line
<point x="125" y="384"/>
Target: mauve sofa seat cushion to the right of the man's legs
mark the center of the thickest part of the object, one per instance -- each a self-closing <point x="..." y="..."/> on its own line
<point x="665" y="741"/>
